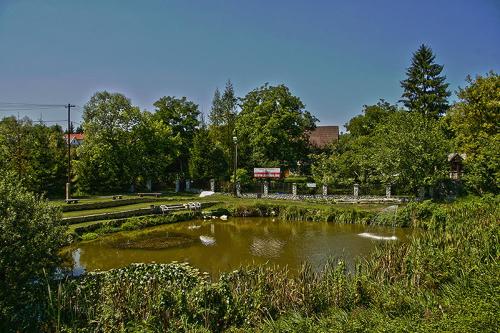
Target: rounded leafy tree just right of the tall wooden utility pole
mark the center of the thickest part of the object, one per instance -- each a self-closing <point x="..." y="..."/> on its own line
<point x="105" y="159"/>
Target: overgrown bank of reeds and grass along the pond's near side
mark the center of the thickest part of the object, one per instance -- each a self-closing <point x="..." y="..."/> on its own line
<point x="447" y="279"/>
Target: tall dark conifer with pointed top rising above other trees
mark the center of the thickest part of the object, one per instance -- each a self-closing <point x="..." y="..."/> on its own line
<point x="425" y="90"/>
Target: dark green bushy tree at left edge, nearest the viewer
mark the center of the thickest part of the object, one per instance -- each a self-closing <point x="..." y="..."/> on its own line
<point x="31" y="235"/>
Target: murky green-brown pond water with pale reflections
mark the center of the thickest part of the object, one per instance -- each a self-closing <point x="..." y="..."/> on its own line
<point x="216" y="246"/>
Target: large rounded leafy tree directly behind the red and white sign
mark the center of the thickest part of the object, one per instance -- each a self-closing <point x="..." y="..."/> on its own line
<point x="273" y="128"/>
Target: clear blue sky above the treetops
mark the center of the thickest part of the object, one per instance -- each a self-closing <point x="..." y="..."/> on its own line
<point x="335" y="55"/>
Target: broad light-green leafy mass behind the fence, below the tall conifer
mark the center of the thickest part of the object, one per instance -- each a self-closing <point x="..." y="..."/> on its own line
<point x="387" y="146"/>
